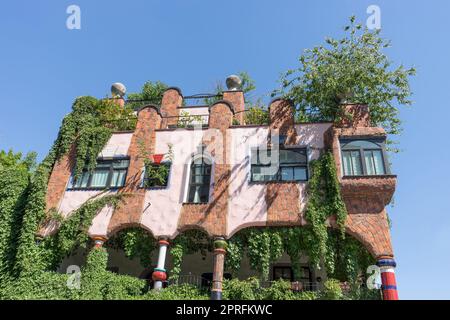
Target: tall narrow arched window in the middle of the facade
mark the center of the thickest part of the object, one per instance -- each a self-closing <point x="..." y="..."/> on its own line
<point x="200" y="180"/>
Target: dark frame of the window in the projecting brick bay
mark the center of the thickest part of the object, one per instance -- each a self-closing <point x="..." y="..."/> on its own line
<point x="381" y="143"/>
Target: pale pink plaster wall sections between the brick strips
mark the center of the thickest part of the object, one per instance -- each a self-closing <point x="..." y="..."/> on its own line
<point x="162" y="207"/>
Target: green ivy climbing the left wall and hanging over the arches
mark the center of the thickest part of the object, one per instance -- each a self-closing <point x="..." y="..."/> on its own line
<point x="28" y="262"/>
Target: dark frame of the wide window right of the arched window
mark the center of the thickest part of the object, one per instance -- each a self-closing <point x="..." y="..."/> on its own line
<point x="278" y="175"/>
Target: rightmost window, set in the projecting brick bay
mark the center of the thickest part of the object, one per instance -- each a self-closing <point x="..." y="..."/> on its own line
<point x="363" y="157"/>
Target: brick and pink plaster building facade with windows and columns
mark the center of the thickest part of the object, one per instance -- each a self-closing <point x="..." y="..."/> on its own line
<point x="221" y="178"/>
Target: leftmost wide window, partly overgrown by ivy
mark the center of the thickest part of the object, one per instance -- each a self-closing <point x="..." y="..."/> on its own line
<point x="107" y="174"/>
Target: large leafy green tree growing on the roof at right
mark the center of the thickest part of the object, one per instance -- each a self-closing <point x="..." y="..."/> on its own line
<point x="352" y="68"/>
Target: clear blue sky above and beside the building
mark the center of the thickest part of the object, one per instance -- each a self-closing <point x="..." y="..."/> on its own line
<point x="192" y="44"/>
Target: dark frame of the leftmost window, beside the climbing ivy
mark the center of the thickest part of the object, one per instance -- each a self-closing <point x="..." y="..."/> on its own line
<point x="111" y="171"/>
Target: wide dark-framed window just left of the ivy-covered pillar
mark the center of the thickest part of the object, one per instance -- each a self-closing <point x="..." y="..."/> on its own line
<point x="292" y="165"/>
